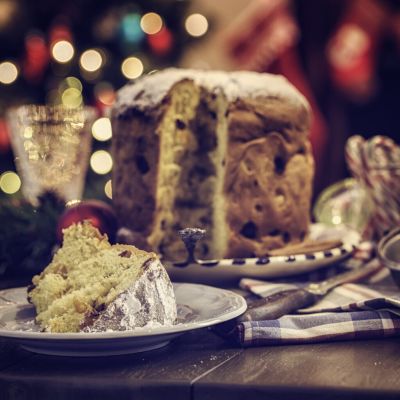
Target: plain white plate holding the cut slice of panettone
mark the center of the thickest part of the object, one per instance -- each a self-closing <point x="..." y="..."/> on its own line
<point x="199" y="306"/>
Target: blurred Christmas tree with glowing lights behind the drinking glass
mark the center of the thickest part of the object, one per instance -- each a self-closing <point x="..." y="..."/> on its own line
<point x="79" y="53"/>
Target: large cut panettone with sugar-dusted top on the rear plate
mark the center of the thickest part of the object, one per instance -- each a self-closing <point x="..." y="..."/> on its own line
<point x="228" y="152"/>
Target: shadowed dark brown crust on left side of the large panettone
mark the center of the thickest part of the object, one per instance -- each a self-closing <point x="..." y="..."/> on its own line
<point x="135" y="147"/>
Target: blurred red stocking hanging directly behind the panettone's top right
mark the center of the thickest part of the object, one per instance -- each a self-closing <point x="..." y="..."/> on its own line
<point x="266" y="42"/>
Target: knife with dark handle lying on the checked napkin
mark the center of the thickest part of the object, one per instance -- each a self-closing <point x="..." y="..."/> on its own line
<point x="289" y="301"/>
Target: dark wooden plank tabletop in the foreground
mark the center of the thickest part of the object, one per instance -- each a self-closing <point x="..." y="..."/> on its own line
<point x="201" y="365"/>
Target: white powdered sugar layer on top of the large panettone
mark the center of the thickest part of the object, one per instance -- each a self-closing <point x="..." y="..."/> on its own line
<point x="150" y="90"/>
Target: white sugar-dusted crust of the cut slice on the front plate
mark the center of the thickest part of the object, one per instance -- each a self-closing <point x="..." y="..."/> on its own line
<point x="148" y="303"/>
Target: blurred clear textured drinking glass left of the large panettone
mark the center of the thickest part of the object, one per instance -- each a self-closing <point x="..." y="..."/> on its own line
<point x="51" y="145"/>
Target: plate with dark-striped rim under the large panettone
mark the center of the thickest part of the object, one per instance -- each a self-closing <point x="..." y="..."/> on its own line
<point x="229" y="270"/>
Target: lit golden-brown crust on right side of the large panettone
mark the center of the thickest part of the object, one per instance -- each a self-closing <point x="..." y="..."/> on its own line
<point x="268" y="177"/>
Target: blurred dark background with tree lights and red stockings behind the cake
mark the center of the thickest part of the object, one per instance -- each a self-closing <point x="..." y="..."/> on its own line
<point x="343" y="55"/>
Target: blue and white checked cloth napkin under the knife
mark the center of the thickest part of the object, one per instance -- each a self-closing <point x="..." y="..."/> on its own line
<point x="350" y="311"/>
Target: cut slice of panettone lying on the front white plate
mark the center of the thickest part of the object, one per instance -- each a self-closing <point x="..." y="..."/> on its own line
<point x="94" y="286"/>
